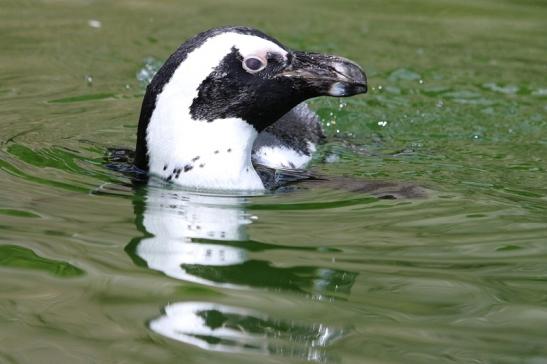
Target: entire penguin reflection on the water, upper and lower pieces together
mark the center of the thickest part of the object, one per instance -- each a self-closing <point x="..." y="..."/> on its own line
<point x="203" y="239"/>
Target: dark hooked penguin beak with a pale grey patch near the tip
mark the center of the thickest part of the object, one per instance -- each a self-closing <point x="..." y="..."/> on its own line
<point x="325" y="74"/>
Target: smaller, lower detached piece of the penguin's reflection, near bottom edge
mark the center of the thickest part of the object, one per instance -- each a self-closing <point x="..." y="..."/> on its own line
<point x="217" y="327"/>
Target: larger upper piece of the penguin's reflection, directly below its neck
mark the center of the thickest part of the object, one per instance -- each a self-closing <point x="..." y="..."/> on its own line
<point x="203" y="239"/>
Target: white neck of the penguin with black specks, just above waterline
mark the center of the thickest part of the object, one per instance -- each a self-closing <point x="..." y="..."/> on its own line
<point x="201" y="154"/>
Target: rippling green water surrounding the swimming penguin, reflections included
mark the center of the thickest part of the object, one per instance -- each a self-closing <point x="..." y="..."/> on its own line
<point x="94" y="271"/>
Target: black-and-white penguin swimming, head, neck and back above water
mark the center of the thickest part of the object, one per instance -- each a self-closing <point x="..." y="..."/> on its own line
<point x="232" y="96"/>
